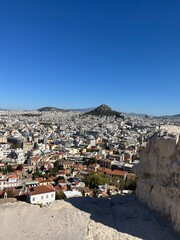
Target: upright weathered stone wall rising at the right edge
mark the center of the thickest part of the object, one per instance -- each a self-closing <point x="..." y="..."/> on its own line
<point x="159" y="174"/>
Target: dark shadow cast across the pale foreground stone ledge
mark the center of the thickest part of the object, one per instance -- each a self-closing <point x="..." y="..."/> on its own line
<point x="127" y="215"/>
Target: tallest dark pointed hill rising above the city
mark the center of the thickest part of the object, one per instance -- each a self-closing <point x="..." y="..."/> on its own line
<point x="104" y="110"/>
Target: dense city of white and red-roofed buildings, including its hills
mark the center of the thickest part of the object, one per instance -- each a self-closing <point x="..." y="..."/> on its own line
<point x="52" y="154"/>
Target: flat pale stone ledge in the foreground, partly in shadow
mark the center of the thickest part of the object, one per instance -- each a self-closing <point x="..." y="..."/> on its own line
<point x="119" y="218"/>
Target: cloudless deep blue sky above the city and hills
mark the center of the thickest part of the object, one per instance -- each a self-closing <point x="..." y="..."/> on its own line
<point x="82" y="53"/>
